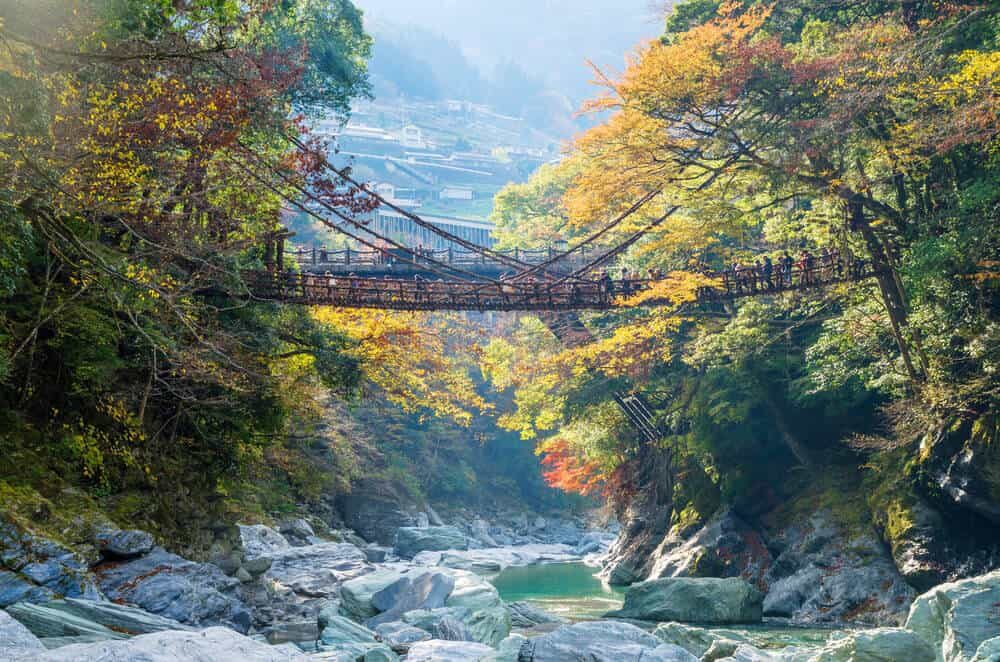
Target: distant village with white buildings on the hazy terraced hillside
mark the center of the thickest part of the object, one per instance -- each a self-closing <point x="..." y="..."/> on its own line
<point x="444" y="160"/>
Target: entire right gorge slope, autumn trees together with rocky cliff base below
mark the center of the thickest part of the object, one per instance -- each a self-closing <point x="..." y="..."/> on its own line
<point x="790" y="129"/>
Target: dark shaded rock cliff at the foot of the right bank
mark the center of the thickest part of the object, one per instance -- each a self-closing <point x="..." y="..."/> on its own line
<point x="839" y="544"/>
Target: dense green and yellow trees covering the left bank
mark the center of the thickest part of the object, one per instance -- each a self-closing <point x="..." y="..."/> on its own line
<point x="129" y="131"/>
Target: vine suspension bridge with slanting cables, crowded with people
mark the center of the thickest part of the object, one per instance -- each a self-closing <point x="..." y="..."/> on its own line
<point x="466" y="276"/>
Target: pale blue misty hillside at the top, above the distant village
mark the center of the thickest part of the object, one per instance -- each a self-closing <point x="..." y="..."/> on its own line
<point x="525" y="47"/>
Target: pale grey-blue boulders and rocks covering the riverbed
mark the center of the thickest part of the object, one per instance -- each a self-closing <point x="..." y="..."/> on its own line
<point x="286" y="593"/>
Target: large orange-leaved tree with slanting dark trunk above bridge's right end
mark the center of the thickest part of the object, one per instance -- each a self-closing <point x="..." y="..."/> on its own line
<point x="727" y="108"/>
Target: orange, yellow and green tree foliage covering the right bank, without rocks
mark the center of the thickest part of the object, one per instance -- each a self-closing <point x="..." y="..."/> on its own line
<point x="761" y="127"/>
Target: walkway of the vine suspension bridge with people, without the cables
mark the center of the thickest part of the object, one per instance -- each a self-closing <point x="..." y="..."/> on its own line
<point x="416" y="294"/>
